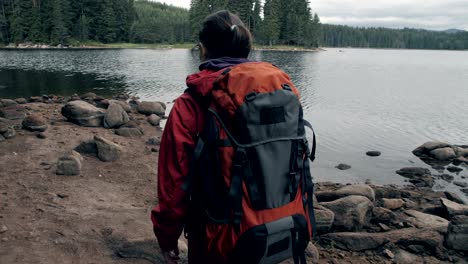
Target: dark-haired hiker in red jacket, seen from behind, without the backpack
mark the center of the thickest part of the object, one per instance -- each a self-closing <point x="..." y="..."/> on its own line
<point x="224" y="42"/>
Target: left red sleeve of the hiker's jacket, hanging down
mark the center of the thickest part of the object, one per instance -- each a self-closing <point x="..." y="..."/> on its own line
<point x="177" y="145"/>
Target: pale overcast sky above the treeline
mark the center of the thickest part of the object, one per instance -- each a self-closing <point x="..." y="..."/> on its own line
<point x="428" y="14"/>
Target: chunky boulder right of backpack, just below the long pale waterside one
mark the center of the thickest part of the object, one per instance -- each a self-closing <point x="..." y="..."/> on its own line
<point x="351" y="212"/>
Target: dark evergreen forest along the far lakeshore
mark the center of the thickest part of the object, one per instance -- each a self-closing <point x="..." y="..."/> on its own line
<point x="272" y="22"/>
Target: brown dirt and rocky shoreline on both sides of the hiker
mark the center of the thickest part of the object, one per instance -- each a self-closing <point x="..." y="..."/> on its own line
<point x="78" y="181"/>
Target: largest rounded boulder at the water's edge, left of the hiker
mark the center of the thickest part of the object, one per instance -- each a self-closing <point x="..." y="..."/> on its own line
<point x="83" y="113"/>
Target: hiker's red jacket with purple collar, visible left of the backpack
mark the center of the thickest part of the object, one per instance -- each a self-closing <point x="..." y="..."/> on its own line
<point x="185" y="121"/>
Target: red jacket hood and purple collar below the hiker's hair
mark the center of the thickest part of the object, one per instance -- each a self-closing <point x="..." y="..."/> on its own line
<point x="200" y="84"/>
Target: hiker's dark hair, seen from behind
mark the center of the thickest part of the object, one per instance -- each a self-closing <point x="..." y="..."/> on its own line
<point x="224" y="35"/>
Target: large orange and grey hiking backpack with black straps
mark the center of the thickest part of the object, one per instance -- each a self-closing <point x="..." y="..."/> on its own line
<point x="251" y="192"/>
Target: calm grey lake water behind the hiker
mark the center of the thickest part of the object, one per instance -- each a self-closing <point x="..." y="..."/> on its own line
<point x="357" y="99"/>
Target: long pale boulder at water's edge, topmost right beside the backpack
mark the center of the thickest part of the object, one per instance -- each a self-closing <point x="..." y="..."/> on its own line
<point x="355" y="189"/>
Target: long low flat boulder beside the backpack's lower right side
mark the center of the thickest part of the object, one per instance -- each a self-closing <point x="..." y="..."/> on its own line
<point x="355" y="241"/>
